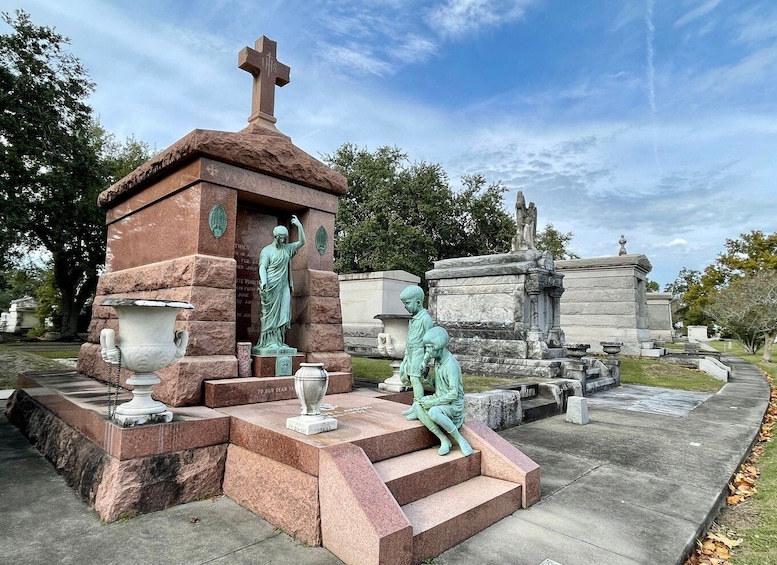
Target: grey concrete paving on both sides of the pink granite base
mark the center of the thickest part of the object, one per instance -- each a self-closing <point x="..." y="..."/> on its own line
<point x="630" y="487"/>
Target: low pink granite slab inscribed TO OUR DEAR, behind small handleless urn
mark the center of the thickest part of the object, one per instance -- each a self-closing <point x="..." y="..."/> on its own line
<point x="252" y="390"/>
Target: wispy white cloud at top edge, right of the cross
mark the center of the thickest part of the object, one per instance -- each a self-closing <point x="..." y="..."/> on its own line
<point x="458" y="17"/>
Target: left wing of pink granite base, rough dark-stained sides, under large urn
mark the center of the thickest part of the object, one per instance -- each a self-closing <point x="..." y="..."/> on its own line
<point x="119" y="471"/>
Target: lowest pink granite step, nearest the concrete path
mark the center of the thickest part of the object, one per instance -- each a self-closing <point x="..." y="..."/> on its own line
<point x="450" y="516"/>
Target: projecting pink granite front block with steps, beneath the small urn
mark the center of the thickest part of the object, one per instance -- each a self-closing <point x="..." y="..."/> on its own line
<point x="374" y="490"/>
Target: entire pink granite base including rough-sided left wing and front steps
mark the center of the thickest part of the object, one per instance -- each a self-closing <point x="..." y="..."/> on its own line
<point x="372" y="491"/>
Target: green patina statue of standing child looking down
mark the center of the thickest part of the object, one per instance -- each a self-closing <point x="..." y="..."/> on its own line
<point x="412" y="366"/>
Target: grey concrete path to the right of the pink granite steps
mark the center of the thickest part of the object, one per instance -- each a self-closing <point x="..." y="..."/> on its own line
<point x="631" y="486"/>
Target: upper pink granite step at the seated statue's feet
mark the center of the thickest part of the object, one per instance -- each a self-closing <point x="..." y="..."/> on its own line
<point x="422" y="473"/>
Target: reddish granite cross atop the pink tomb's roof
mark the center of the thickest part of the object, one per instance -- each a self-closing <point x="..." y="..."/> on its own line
<point x="268" y="72"/>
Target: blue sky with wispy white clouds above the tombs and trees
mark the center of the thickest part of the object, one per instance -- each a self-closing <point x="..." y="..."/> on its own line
<point x="650" y="118"/>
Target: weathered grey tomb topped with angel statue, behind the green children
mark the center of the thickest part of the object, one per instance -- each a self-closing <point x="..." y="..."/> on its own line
<point x="502" y="311"/>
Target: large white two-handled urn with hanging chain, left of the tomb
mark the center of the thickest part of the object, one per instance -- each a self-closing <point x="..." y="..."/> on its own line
<point x="147" y="342"/>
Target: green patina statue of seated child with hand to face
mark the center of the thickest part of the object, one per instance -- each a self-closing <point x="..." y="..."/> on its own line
<point x="442" y="411"/>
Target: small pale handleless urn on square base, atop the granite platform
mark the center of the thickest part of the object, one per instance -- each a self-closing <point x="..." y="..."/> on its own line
<point x="310" y="383"/>
